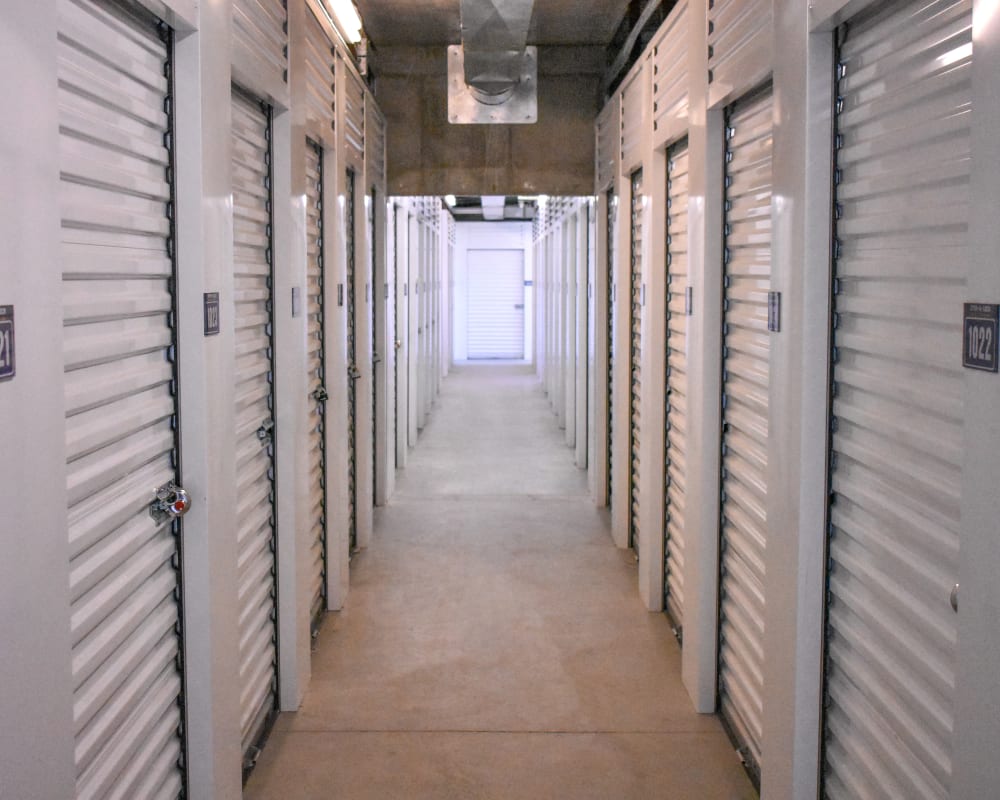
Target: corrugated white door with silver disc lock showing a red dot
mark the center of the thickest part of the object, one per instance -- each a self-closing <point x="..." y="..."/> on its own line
<point x="121" y="399"/>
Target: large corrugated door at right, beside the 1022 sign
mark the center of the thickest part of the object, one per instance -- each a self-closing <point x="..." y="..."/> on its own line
<point x="901" y="254"/>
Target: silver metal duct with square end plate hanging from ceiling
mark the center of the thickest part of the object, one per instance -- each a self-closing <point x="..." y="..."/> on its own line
<point x="492" y="75"/>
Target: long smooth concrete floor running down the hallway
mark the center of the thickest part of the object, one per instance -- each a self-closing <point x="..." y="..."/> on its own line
<point x="493" y="644"/>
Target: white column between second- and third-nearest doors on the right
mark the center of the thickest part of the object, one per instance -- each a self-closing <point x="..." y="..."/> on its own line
<point x="701" y="554"/>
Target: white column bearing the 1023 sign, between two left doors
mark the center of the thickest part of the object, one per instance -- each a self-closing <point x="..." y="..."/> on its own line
<point x="205" y="257"/>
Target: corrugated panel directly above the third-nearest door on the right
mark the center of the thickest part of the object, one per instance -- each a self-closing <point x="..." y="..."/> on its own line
<point x="670" y="77"/>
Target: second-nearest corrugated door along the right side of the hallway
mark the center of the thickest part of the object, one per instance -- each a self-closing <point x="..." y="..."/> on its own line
<point x="746" y="368"/>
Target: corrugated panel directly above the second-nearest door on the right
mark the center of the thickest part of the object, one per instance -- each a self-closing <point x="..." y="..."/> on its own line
<point x="739" y="46"/>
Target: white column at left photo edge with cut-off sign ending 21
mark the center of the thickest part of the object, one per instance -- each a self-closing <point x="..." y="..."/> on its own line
<point x="36" y="702"/>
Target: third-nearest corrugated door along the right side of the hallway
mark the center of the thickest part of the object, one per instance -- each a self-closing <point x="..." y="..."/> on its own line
<point x="676" y="407"/>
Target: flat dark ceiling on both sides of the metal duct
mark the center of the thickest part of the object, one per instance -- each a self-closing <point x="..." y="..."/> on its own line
<point x="436" y="22"/>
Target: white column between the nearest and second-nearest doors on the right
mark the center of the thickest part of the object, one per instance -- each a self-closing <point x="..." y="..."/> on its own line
<point x="798" y="400"/>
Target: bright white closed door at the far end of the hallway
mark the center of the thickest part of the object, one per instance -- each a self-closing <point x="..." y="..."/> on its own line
<point x="495" y="304"/>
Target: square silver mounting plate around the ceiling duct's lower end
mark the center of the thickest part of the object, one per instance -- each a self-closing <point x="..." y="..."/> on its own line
<point x="468" y="105"/>
